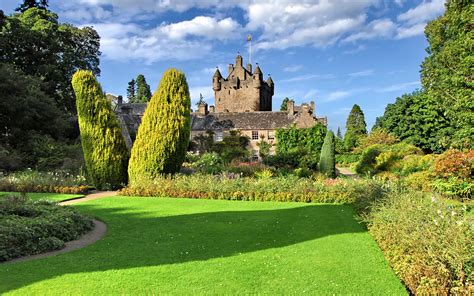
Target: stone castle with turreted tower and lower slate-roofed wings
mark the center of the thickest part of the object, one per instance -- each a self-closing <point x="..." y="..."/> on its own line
<point x="243" y="102"/>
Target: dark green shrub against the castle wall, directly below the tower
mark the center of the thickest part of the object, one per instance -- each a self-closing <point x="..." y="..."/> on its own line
<point x="232" y="147"/>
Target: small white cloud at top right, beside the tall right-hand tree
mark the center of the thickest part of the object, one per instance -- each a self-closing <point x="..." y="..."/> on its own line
<point x="423" y="12"/>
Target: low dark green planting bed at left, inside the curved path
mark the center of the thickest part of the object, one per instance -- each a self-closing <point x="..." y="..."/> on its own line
<point x="28" y="227"/>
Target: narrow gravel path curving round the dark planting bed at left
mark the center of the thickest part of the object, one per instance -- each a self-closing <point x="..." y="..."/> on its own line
<point x="99" y="230"/>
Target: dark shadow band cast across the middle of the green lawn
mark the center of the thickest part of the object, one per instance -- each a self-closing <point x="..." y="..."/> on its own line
<point x="135" y="240"/>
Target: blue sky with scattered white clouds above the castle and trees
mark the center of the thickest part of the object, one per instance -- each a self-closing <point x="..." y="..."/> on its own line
<point x="336" y="53"/>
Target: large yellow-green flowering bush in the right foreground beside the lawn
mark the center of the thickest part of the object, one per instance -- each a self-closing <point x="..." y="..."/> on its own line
<point x="428" y="243"/>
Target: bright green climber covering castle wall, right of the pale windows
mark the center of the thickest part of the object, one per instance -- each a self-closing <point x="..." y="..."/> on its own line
<point x="309" y="139"/>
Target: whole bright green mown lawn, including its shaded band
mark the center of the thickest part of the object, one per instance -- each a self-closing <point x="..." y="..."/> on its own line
<point x="184" y="246"/>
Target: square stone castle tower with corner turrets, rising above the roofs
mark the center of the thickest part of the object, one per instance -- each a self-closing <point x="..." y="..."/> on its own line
<point x="242" y="90"/>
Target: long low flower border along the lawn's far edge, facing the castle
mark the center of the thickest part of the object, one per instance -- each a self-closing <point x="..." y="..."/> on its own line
<point x="289" y="188"/>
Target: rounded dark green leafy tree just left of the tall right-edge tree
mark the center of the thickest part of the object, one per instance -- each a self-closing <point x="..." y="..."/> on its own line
<point x="419" y="119"/>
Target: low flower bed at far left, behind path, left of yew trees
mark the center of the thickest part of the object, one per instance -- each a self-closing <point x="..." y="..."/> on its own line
<point x="33" y="181"/>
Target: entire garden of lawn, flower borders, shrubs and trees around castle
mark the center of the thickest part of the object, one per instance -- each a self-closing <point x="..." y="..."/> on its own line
<point x="218" y="222"/>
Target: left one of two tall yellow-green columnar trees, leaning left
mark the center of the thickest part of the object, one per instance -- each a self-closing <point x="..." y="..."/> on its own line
<point x="105" y="152"/>
